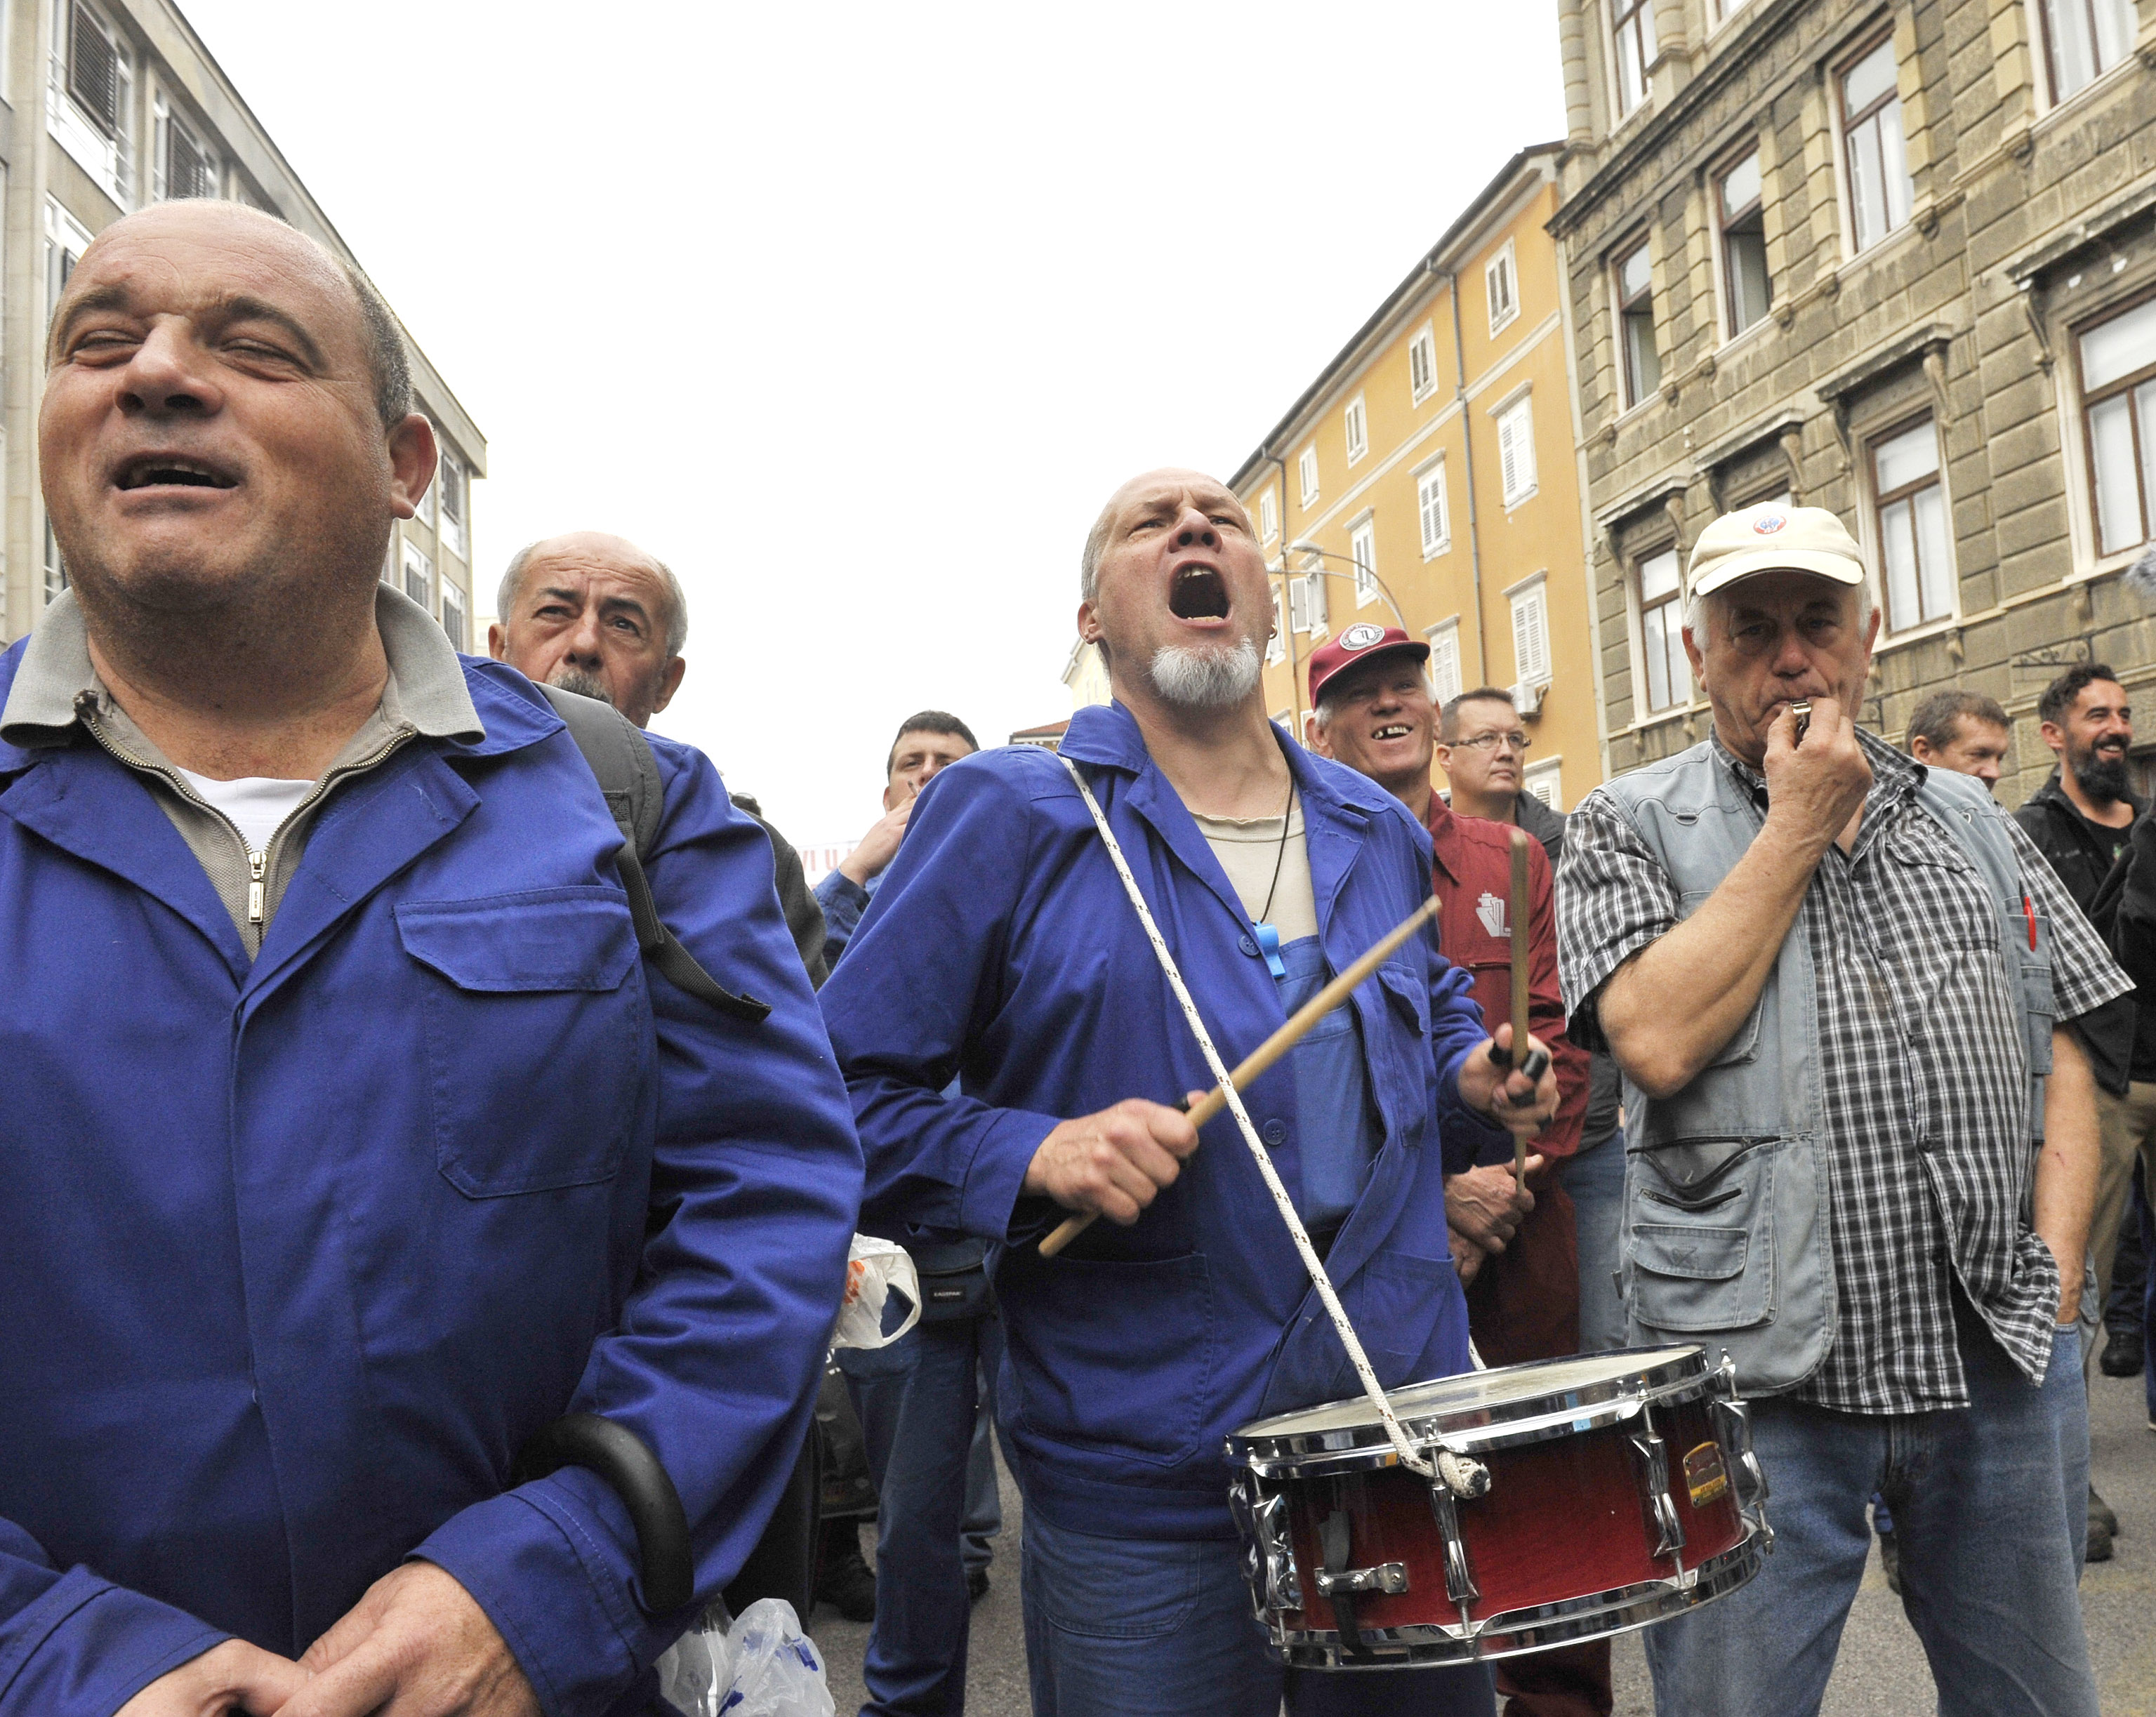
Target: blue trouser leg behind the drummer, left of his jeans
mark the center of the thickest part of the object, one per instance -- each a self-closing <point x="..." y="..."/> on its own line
<point x="917" y="1405"/>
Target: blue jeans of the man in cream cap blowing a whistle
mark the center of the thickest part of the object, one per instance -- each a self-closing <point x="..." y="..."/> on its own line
<point x="1987" y="1502"/>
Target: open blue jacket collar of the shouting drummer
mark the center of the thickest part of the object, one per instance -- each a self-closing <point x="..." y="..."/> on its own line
<point x="1338" y="806"/>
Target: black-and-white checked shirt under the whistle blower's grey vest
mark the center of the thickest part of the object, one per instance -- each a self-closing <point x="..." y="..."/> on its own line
<point x="1922" y="1069"/>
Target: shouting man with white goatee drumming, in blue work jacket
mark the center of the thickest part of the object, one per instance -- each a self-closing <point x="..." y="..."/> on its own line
<point x="1001" y="950"/>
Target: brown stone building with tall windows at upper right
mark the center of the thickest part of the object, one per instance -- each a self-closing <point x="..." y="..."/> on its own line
<point x="1894" y="260"/>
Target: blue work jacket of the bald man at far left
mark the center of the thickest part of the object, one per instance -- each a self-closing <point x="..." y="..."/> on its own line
<point x="296" y="1254"/>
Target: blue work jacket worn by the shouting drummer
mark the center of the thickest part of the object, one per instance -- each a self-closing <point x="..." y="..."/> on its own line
<point x="1001" y="950"/>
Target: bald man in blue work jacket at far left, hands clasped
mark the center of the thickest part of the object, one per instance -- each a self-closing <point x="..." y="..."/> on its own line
<point x="346" y="1138"/>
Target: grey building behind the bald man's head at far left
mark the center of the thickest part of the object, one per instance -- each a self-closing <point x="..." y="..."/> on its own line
<point x="109" y="107"/>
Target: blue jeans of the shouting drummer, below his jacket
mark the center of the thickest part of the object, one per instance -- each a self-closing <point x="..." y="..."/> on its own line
<point x="1139" y="1627"/>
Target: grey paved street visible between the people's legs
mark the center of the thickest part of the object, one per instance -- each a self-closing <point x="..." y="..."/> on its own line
<point x="1881" y="1673"/>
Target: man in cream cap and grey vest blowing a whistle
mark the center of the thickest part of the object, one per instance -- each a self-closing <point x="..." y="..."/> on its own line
<point x="1836" y="983"/>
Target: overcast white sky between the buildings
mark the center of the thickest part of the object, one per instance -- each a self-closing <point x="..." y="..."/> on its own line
<point x="857" y="314"/>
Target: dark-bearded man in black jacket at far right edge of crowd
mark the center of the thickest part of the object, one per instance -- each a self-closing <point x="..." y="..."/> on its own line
<point x="2082" y="823"/>
